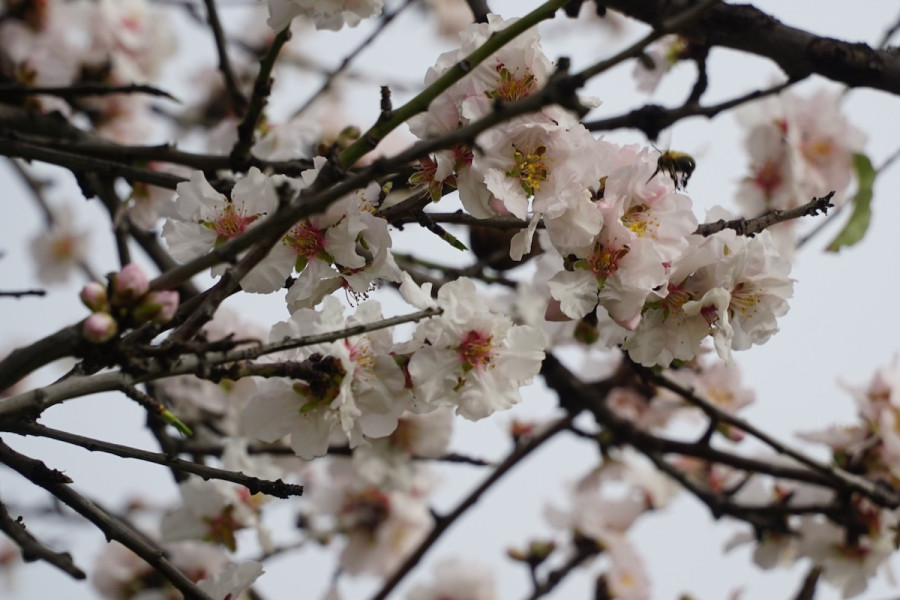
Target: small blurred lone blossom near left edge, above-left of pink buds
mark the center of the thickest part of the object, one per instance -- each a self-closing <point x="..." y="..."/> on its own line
<point x="58" y="251"/>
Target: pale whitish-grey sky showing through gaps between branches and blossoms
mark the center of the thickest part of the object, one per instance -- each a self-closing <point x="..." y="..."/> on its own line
<point x="843" y="324"/>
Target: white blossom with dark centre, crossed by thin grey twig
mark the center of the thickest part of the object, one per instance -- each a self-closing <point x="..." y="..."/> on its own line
<point x="354" y="386"/>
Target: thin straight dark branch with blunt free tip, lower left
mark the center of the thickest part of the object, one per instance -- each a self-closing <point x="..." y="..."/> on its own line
<point x="278" y="488"/>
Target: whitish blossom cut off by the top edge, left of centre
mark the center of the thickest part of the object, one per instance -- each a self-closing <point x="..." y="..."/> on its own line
<point x="326" y="14"/>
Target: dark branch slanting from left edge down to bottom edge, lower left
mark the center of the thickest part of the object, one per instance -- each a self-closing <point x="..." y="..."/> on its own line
<point x="58" y="485"/>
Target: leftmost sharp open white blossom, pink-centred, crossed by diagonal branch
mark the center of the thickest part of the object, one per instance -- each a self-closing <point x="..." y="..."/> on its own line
<point x="205" y="219"/>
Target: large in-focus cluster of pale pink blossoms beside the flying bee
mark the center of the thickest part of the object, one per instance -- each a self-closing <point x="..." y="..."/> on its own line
<point x="620" y="231"/>
